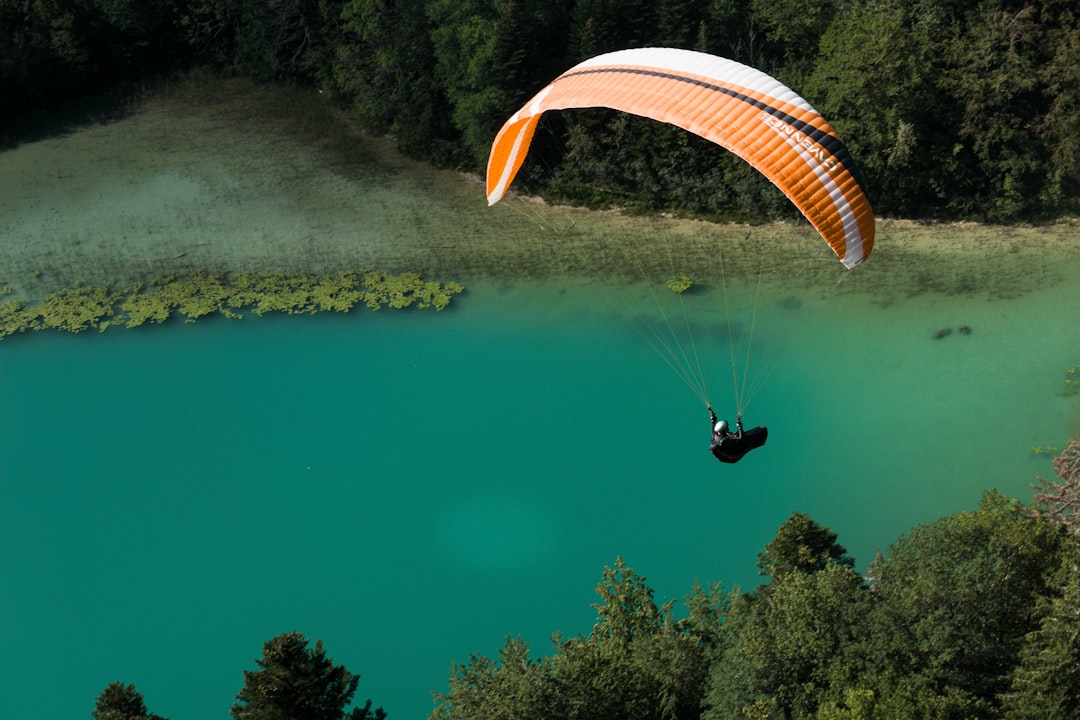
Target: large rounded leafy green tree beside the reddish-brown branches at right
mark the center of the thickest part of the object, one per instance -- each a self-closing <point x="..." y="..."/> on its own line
<point x="955" y="600"/>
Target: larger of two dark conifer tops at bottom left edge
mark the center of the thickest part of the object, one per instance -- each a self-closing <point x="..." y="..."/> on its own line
<point x="296" y="684"/>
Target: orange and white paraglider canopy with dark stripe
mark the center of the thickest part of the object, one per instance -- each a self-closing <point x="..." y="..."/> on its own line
<point x="738" y="107"/>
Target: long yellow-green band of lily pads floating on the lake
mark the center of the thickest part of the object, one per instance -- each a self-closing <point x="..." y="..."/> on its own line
<point x="202" y="294"/>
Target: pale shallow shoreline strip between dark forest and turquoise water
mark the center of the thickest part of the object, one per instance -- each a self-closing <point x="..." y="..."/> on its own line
<point x="224" y="181"/>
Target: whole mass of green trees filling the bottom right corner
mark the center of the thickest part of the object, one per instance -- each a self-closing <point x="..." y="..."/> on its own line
<point x="974" y="616"/>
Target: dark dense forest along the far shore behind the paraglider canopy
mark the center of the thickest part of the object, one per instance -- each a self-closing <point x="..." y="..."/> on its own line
<point x="954" y="110"/>
